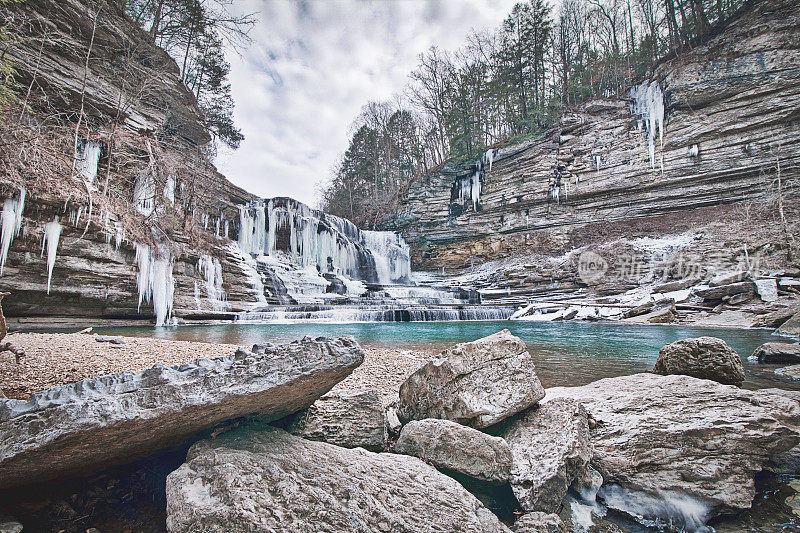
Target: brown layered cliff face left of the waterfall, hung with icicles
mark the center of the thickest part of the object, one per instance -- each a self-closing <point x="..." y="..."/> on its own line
<point x="140" y="133"/>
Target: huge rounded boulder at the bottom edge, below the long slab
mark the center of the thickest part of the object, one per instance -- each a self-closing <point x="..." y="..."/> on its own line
<point x="264" y="479"/>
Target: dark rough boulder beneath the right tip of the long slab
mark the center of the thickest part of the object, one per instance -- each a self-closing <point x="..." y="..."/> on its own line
<point x="351" y="420"/>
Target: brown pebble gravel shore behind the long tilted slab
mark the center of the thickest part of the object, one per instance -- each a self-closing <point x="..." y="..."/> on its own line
<point x="58" y="358"/>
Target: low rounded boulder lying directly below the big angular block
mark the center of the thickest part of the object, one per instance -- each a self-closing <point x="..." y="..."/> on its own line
<point x="451" y="446"/>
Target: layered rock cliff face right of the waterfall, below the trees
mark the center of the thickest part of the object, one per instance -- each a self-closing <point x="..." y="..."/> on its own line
<point x="710" y="128"/>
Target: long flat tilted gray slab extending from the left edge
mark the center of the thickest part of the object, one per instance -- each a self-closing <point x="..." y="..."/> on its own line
<point x="97" y="423"/>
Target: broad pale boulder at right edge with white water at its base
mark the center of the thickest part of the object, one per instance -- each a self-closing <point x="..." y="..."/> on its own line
<point x="695" y="445"/>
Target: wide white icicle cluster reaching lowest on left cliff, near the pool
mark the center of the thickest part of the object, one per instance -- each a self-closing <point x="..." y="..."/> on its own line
<point x="155" y="282"/>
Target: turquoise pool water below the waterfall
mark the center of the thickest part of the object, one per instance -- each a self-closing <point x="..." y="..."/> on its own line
<point x="566" y="353"/>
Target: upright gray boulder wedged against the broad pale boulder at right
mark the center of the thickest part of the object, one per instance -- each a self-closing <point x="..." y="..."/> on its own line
<point x="551" y="448"/>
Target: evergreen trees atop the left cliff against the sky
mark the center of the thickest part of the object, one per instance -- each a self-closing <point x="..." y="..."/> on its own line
<point x="193" y="33"/>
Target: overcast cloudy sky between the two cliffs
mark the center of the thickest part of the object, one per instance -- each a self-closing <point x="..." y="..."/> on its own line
<point x="311" y="67"/>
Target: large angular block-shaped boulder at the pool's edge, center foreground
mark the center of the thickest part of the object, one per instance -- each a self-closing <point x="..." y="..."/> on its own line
<point x="477" y="383"/>
